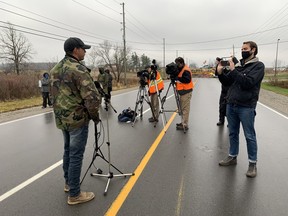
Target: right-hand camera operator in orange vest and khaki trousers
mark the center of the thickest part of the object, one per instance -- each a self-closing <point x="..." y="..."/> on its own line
<point x="184" y="87"/>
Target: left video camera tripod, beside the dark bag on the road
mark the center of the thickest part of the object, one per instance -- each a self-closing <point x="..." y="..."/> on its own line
<point x="142" y="96"/>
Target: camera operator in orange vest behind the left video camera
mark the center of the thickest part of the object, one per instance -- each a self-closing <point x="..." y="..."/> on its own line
<point x="154" y="80"/>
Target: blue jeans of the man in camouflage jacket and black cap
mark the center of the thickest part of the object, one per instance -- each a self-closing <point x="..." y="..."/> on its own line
<point x="74" y="147"/>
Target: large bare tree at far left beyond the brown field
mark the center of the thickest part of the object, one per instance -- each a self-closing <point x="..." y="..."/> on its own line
<point x="15" y="47"/>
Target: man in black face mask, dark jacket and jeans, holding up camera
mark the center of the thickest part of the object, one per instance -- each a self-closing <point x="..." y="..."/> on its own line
<point x="242" y="97"/>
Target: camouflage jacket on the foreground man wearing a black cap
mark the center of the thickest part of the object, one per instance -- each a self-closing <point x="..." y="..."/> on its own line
<point x="76" y="99"/>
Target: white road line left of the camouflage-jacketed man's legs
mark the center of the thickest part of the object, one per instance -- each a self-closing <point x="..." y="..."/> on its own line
<point x="29" y="181"/>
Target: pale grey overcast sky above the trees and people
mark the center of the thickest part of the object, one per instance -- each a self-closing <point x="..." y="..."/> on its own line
<point x="198" y="30"/>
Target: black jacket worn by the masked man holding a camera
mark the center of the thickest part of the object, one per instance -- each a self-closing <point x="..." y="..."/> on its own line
<point x="244" y="82"/>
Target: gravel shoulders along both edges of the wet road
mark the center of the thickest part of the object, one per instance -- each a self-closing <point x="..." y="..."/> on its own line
<point x="270" y="99"/>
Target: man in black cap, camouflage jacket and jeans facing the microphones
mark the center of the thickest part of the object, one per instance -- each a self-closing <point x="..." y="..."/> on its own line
<point x="76" y="101"/>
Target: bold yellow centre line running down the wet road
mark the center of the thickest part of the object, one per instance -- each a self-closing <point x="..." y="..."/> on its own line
<point x="116" y="205"/>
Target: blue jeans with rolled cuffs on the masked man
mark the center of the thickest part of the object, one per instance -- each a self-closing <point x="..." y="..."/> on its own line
<point x="246" y="116"/>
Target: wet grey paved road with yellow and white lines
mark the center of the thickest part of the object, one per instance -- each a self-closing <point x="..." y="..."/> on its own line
<point x="175" y="173"/>
